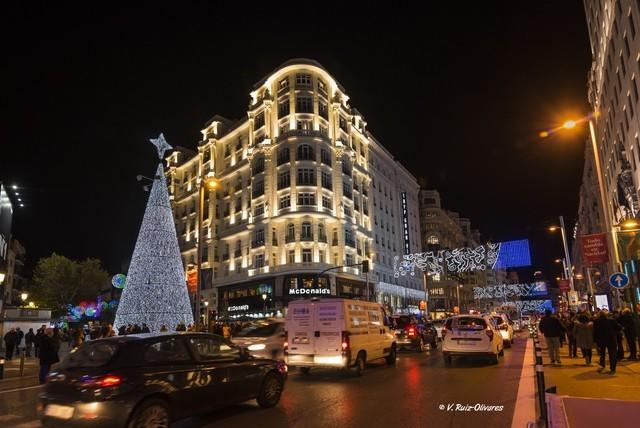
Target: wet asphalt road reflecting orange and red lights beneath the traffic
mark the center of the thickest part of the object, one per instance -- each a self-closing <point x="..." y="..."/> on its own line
<point x="409" y="394"/>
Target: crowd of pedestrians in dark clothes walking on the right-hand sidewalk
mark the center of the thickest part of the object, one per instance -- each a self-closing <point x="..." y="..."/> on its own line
<point x="605" y="331"/>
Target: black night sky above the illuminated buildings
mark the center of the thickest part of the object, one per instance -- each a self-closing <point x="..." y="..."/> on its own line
<point x="457" y="94"/>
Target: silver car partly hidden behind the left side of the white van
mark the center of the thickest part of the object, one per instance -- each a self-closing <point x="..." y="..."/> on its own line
<point x="264" y="338"/>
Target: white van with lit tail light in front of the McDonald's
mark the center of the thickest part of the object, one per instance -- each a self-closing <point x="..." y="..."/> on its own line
<point x="341" y="333"/>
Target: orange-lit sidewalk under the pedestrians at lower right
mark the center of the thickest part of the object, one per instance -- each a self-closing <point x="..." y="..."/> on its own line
<point x="587" y="398"/>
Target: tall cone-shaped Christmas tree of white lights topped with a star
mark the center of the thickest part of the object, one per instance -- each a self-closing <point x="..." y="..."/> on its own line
<point x="156" y="291"/>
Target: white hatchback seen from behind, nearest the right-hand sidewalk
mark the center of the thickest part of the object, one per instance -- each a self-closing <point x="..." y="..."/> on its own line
<point x="471" y="336"/>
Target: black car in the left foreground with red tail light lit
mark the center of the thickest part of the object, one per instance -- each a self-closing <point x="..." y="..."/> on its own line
<point x="152" y="379"/>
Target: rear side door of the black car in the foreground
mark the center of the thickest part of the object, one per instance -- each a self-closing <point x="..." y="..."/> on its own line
<point x="170" y="367"/>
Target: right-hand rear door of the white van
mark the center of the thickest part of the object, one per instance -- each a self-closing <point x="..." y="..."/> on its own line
<point x="328" y="328"/>
